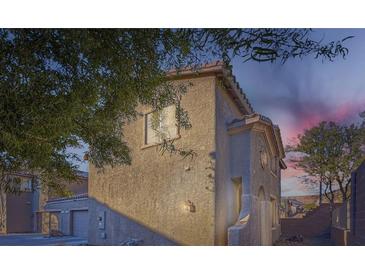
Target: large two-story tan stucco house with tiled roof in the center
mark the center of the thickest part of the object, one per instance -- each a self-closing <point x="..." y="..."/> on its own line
<point x="228" y="194"/>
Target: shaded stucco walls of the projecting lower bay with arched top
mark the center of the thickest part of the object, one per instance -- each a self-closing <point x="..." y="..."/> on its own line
<point x="246" y="163"/>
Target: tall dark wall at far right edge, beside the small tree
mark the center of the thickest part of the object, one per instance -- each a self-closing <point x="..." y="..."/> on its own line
<point x="357" y="207"/>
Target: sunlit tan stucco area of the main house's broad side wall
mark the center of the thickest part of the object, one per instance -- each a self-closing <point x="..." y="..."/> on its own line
<point x="154" y="190"/>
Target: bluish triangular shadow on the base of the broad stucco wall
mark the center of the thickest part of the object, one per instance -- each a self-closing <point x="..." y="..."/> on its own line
<point x="109" y="227"/>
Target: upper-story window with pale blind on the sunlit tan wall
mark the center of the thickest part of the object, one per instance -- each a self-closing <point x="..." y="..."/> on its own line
<point x="161" y="125"/>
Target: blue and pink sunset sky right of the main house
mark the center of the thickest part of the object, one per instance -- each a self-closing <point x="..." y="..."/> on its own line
<point x="301" y="93"/>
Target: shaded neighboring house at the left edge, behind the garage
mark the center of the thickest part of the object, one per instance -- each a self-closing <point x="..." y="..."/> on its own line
<point x="24" y="212"/>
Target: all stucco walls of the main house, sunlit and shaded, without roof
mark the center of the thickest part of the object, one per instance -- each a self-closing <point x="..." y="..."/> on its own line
<point x="150" y="195"/>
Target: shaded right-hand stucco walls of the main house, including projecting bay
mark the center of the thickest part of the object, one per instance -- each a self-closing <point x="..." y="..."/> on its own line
<point x="238" y="157"/>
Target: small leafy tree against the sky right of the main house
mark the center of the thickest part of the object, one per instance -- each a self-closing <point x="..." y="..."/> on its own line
<point x="329" y="153"/>
